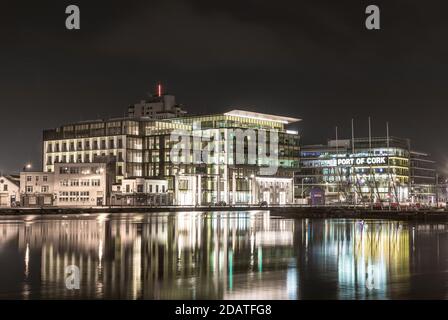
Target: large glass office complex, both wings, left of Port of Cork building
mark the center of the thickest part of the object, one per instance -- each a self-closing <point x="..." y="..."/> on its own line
<point x="142" y="147"/>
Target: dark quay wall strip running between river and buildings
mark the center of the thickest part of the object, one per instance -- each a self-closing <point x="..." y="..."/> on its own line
<point x="283" y="211"/>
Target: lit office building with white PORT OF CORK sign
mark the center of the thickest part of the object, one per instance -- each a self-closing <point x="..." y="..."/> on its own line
<point x="380" y="170"/>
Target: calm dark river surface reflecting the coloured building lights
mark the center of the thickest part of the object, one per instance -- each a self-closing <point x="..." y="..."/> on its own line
<point x="235" y="255"/>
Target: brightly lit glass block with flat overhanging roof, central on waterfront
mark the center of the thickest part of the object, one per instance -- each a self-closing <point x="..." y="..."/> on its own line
<point x="231" y="180"/>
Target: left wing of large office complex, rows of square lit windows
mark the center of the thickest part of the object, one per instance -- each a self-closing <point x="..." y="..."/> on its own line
<point x="140" y="146"/>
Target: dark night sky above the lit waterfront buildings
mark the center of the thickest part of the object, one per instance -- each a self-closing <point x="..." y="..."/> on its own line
<point x="309" y="59"/>
